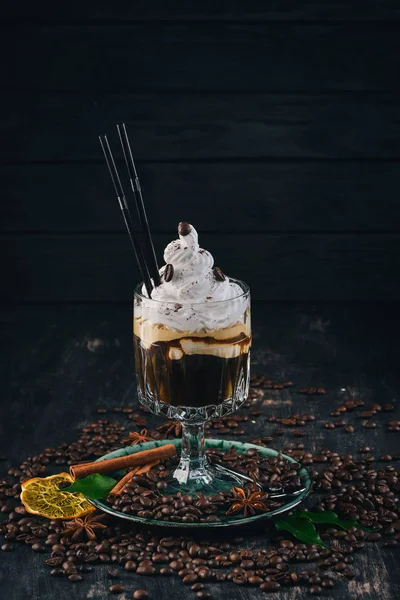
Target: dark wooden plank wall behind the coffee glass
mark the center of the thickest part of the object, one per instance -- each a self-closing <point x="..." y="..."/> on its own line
<point x="272" y="126"/>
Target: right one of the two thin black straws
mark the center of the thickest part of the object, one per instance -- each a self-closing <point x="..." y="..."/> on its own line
<point x="137" y="194"/>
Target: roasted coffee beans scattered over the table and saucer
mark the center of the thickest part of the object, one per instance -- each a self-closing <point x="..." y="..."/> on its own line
<point x="358" y="486"/>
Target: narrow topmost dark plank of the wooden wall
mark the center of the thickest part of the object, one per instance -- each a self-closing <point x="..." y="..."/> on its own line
<point x="93" y="11"/>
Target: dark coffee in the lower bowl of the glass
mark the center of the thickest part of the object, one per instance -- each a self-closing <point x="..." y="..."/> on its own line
<point x="195" y="380"/>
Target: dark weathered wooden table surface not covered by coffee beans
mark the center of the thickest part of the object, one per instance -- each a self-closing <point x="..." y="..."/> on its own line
<point x="60" y="363"/>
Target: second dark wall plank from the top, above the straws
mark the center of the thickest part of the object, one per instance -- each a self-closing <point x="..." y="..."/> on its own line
<point x="282" y="57"/>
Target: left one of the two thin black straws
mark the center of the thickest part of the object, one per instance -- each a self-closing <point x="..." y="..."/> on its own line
<point x="125" y="211"/>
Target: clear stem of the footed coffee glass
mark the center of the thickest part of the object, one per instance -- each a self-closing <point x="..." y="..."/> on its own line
<point x="193" y="466"/>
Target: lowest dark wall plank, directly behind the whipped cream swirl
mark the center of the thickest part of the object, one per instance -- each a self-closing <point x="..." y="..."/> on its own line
<point x="97" y="268"/>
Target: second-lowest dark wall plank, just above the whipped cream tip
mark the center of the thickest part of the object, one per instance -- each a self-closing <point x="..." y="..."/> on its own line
<point x="236" y="197"/>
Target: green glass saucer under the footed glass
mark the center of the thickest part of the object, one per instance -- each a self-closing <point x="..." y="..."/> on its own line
<point x="228" y="521"/>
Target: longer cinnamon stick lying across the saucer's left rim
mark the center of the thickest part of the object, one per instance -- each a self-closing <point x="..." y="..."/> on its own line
<point x="123" y="462"/>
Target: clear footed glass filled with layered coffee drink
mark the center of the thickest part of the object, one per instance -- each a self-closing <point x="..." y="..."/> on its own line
<point x="194" y="374"/>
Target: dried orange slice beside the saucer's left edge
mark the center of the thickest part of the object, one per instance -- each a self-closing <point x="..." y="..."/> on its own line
<point x="40" y="496"/>
